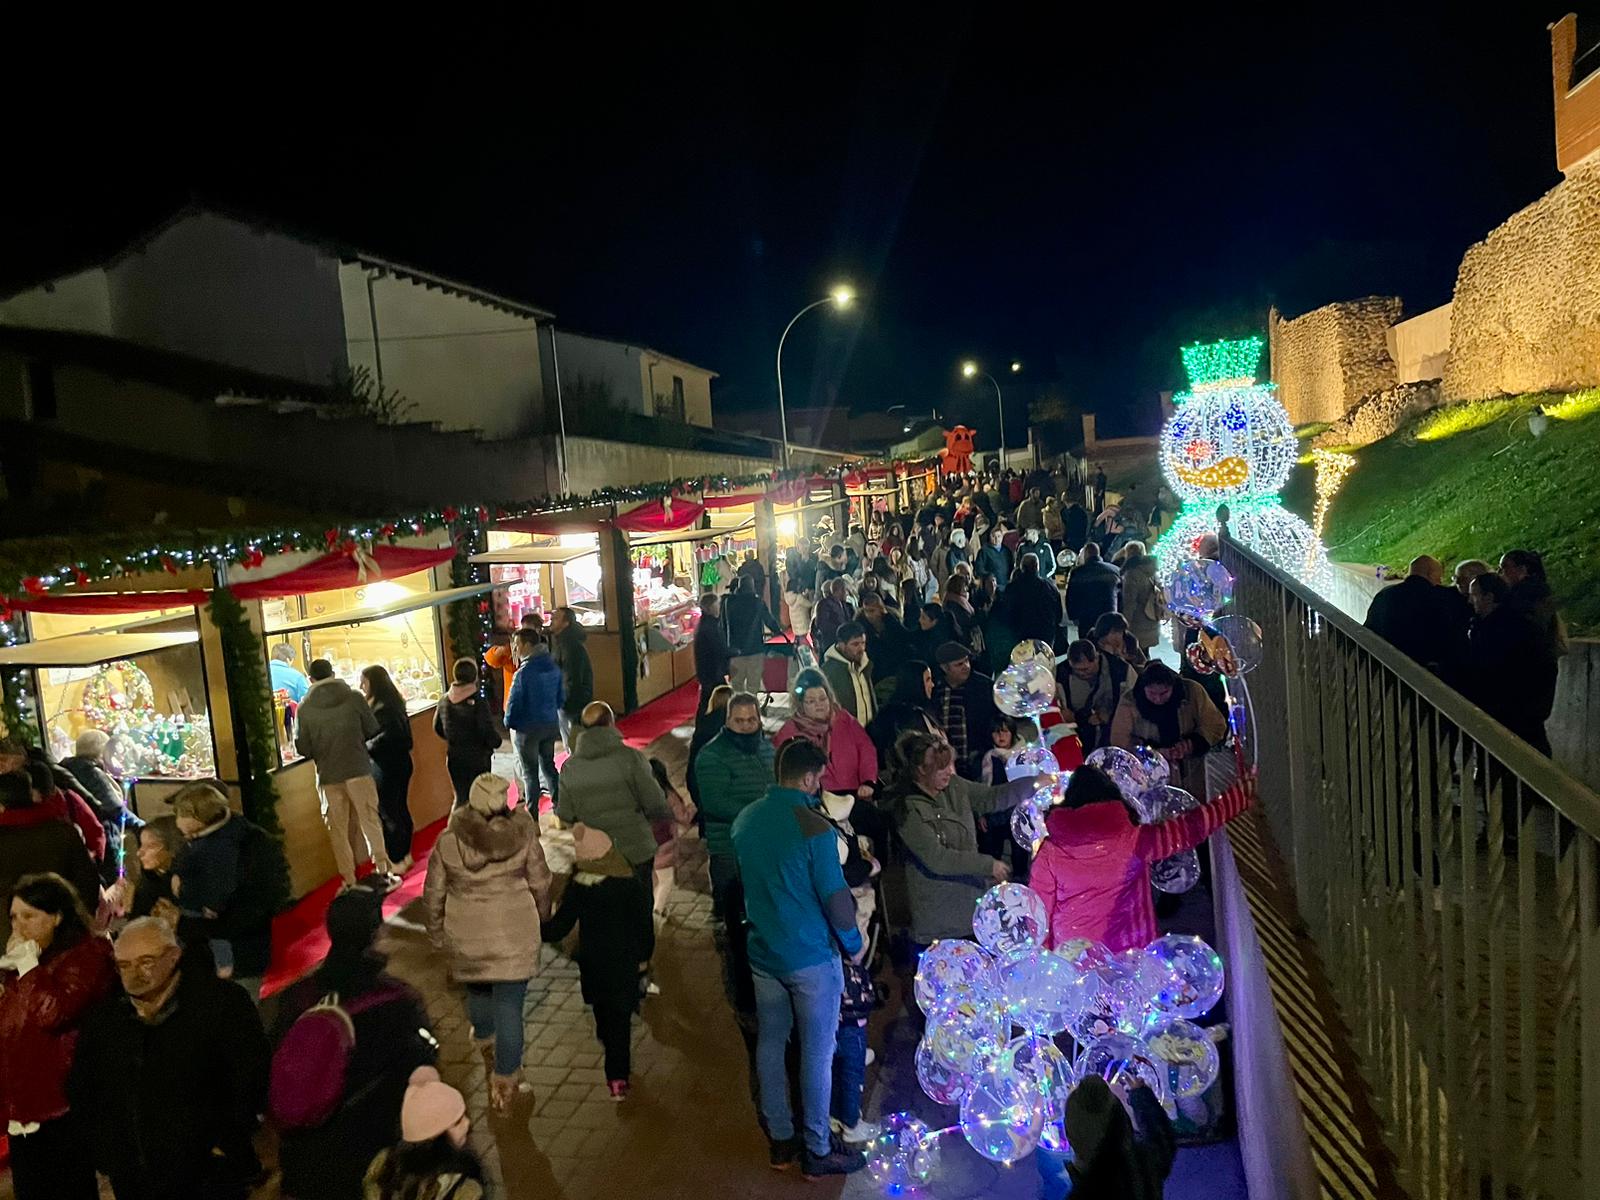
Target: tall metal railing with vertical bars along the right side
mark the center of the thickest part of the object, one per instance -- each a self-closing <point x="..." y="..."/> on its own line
<point x="1449" y="878"/>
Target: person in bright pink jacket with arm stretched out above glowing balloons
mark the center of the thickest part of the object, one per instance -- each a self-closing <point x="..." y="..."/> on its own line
<point x="1094" y="868"/>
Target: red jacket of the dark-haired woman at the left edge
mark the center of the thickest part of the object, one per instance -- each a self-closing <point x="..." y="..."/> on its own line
<point x="41" y="1015"/>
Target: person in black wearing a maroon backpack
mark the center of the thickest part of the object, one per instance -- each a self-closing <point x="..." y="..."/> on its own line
<point x="348" y="1039"/>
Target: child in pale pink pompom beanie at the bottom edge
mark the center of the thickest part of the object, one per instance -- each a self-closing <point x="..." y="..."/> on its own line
<point x="431" y="1161"/>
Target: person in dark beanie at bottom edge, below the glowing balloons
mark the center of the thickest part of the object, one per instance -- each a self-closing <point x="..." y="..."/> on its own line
<point x="1113" y="1158"/>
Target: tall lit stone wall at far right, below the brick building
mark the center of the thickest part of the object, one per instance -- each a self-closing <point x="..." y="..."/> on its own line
<point x="1527" y="308"/>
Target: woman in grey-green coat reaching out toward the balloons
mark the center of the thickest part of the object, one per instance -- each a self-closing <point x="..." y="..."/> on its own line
<point x="934" y="807"/>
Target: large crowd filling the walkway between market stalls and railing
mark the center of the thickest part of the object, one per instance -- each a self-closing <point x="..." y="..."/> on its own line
<point x="842" y="838"/>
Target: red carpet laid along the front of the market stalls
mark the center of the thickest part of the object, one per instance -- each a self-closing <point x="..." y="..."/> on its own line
<point x="300" y="938"/>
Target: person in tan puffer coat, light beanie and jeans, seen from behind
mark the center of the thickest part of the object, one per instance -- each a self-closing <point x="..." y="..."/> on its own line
<point x="487" y="890"/>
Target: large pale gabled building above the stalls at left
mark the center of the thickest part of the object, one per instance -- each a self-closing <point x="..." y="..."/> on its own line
<point x="255" y="297"/>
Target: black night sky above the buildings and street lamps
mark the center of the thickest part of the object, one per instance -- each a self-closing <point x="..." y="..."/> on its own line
<point x="1082" y="193"/>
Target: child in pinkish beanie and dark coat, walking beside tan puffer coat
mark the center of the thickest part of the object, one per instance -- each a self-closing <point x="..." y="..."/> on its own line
<point x="615" y="937"/>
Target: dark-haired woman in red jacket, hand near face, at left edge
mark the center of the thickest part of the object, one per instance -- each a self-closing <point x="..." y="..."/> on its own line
<point x="52" y="974"/>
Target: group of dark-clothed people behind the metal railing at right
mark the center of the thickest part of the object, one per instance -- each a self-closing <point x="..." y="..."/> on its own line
<point x="1494" y="634"/>
